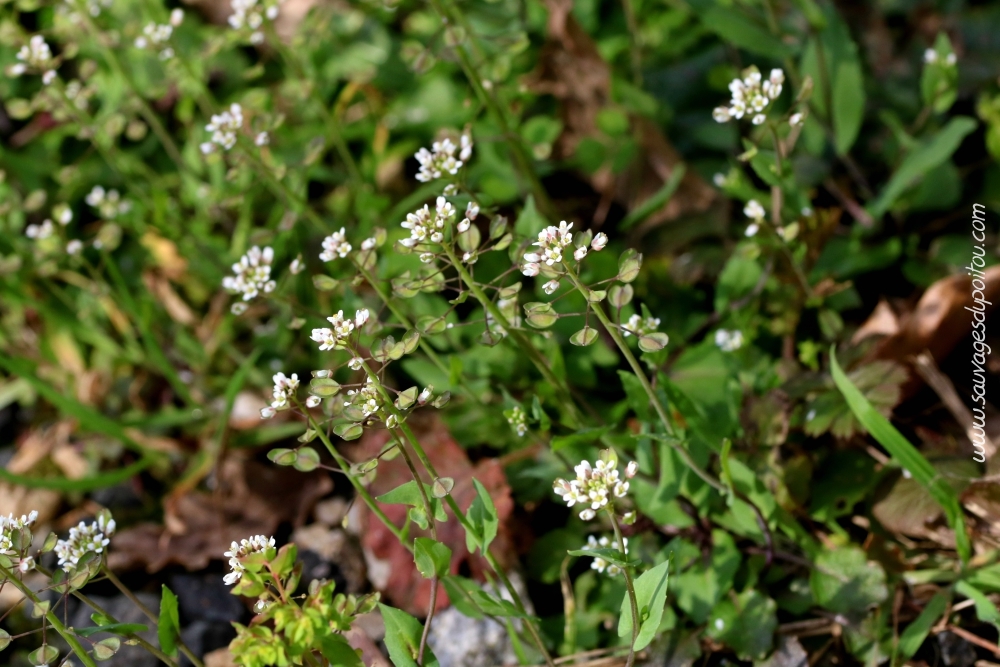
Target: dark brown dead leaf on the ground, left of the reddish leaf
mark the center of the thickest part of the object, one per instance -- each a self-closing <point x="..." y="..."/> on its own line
<point x="250" y="498"/>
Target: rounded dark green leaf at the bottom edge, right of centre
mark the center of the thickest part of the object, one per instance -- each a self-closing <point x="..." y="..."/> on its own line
<point x="746" y="623"/>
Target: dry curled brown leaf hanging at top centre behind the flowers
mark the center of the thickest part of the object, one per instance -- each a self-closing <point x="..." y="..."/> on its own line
<point x="572" y="70"/>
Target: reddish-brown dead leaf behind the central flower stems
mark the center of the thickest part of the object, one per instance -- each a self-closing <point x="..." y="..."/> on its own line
<point x="394" y="571"/>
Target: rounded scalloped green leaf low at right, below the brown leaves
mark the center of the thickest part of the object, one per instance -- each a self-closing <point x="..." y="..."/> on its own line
<point x="846" y="583"/>
